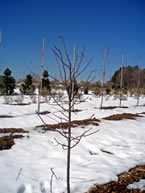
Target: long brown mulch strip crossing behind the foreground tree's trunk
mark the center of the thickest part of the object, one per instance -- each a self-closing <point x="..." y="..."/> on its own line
<point x="75" y="123"/>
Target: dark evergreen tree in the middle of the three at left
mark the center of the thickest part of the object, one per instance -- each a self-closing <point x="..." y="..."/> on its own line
<point x="27" y="87"/>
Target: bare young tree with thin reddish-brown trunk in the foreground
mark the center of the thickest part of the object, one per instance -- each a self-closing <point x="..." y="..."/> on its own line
<point x="69" y="71"/>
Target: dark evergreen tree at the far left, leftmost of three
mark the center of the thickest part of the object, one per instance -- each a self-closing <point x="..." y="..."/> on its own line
<point x="8" y="82"/>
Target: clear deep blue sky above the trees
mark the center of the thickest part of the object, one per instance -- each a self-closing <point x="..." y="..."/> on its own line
<point x="96" y="24"/>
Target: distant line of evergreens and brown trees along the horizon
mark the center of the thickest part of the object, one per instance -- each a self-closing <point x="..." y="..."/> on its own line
<point x="28" y="85"/>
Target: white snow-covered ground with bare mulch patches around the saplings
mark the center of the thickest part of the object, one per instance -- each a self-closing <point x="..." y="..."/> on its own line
<point x="35" y="156"/>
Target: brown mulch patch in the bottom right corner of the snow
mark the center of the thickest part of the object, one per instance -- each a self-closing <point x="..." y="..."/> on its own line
<point x="124" y="179"/>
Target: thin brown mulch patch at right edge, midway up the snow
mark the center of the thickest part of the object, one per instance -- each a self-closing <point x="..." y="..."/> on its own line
<point x="122" y="116"/>
